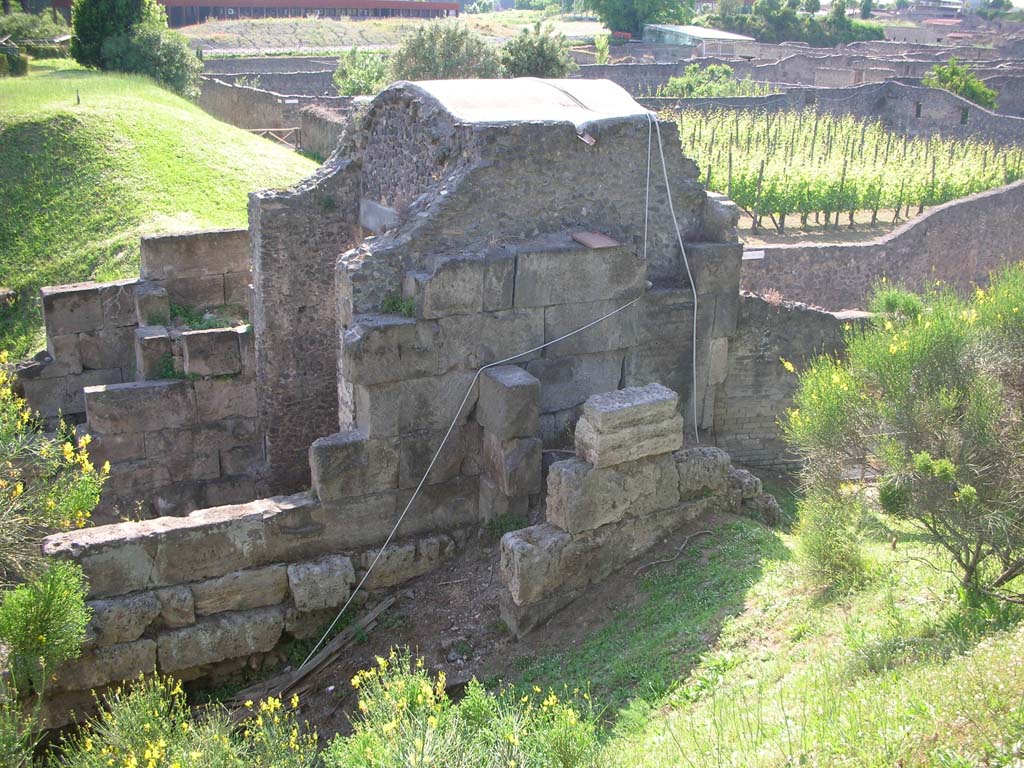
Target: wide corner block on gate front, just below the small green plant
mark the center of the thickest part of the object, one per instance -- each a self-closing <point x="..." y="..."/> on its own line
<point x="380" y="349"/>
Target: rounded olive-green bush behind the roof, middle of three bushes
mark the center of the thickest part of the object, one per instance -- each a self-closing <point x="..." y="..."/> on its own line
<point x="445" y="51"/>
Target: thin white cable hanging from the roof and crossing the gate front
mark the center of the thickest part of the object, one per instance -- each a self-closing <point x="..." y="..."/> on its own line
<point x="477" y="377"/>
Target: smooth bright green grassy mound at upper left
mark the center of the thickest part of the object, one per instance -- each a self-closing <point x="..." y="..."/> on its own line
<point x="81" y="183"/>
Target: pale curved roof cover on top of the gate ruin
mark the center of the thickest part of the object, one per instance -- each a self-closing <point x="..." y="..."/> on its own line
<point x="533" y="101"/>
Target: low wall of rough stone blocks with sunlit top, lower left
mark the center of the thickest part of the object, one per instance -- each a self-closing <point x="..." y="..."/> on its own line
<point x="205" y="594"/>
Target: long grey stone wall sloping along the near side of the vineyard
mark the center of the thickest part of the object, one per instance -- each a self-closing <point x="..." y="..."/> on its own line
<point x="953" y="243"/>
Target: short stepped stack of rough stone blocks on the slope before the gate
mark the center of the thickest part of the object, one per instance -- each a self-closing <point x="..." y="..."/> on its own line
<point x="628" y="488"/>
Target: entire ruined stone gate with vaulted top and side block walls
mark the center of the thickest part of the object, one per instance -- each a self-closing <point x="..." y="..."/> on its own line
<point x="457" y="225"/>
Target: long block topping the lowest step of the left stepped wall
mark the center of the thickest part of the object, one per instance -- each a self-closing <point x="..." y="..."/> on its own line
<point x="141" y="406"/>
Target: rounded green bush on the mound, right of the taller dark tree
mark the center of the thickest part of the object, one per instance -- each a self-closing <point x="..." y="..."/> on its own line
<point x="152" y="50"/>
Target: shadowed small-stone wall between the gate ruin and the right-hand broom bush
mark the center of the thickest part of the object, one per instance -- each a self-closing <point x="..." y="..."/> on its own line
<point x="757" y="389"/>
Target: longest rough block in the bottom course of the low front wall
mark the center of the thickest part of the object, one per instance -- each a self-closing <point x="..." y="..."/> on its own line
<point x="220" y="637"/>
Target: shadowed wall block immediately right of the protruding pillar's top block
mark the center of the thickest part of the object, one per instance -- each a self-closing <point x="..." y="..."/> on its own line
<point x="566" y="382"/>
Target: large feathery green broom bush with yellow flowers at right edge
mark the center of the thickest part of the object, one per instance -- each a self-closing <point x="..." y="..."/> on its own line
<point x="929" y="398"/>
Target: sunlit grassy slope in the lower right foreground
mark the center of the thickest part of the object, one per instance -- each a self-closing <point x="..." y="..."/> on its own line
<point x="735" y="662"/>
